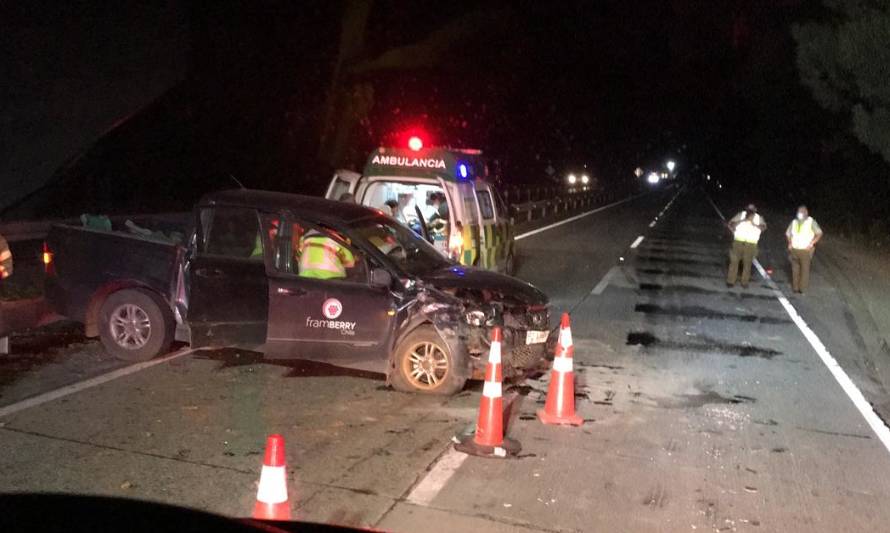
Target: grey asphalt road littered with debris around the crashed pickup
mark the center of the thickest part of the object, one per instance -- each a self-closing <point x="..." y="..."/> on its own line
<point x="705" y="408"/>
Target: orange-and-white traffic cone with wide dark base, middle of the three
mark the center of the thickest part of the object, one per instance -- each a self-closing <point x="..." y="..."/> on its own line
<point x="488" y="439"/>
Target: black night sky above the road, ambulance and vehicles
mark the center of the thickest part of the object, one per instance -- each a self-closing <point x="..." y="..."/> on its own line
<point x="280" y="93"/>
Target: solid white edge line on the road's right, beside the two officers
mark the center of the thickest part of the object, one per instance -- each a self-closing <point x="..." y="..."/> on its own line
<point x="852" y="391"/>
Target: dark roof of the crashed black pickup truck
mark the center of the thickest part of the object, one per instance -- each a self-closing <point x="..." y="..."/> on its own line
<point x="313" y="207"/>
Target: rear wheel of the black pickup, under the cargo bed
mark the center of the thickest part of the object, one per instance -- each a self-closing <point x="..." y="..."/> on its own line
<point x="133" y="325"/>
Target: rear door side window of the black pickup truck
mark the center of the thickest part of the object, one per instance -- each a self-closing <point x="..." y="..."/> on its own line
<point x="231" y="232"/>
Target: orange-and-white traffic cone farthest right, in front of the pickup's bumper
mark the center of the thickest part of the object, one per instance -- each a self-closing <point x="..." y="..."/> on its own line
<point x="560" y="406"/>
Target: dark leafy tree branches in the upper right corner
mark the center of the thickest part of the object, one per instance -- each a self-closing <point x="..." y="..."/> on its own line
<point x="844" y="59"/>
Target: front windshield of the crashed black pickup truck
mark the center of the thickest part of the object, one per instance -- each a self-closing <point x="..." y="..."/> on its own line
<point x="408" y="251"/>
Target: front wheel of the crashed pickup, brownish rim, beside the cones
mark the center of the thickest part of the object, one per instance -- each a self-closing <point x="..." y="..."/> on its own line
<point x="424" y="363"/>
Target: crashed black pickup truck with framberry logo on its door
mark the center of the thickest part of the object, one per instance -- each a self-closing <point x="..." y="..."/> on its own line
<point x="236" y="280"/>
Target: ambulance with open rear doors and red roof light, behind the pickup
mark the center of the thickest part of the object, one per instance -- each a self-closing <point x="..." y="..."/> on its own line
<point x="443" y="194"/>
